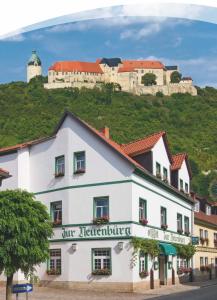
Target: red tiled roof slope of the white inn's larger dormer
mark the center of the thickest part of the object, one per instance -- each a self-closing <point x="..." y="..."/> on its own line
<point x="142" y="145"/>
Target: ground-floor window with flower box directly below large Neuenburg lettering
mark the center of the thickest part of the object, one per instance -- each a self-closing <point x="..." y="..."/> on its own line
<point x="101" y="261"/>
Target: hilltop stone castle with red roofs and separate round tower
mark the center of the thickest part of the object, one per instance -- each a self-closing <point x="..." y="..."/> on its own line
<point x="127" y="74"/>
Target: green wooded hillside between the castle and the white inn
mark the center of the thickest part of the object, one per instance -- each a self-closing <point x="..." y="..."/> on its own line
<point x="28" y="111"/>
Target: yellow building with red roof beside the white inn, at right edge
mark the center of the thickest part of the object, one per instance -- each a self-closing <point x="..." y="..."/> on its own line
<point x="205" y="228"/>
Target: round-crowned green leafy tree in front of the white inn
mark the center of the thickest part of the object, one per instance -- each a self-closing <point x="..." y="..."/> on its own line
<point x="24" y="231"/>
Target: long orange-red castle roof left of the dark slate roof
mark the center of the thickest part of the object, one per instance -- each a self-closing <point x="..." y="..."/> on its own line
<point x="77" y="66"/>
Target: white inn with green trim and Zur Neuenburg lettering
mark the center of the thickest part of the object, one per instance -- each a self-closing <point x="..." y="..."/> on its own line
<point x="100" y="195"/>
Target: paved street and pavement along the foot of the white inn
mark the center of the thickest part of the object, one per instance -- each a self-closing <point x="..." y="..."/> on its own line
<point x="181" y="292"/>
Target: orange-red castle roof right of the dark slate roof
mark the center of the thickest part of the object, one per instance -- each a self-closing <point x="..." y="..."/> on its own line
<point x="132" y="65"/>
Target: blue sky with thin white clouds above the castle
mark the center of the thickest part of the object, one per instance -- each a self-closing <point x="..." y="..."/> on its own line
<point x="192" y="45"/>
